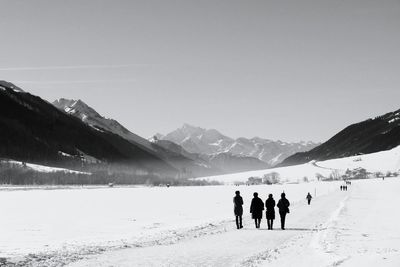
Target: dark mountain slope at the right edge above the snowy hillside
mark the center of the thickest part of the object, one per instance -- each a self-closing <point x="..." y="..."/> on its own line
<point x="372" y="135"/>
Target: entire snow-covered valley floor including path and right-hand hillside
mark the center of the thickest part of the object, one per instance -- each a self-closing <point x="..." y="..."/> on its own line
<point x="192" y="226"/>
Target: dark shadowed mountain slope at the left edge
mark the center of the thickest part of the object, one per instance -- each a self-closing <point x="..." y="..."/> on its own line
<point x="33" y="130"/>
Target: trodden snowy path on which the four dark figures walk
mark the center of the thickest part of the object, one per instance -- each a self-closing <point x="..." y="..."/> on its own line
<point x="247" y="247"/>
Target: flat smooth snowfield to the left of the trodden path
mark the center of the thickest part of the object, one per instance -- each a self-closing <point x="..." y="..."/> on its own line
<point x="59" y="223"/>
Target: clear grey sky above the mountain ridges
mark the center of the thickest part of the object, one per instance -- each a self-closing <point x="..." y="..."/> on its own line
<point x="285" y="69"/>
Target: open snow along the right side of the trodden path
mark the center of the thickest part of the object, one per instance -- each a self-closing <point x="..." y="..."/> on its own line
<point x="363" y="231"/>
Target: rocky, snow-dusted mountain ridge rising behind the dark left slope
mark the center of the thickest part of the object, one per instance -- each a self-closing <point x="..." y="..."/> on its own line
<point x="187" y="164"/>
